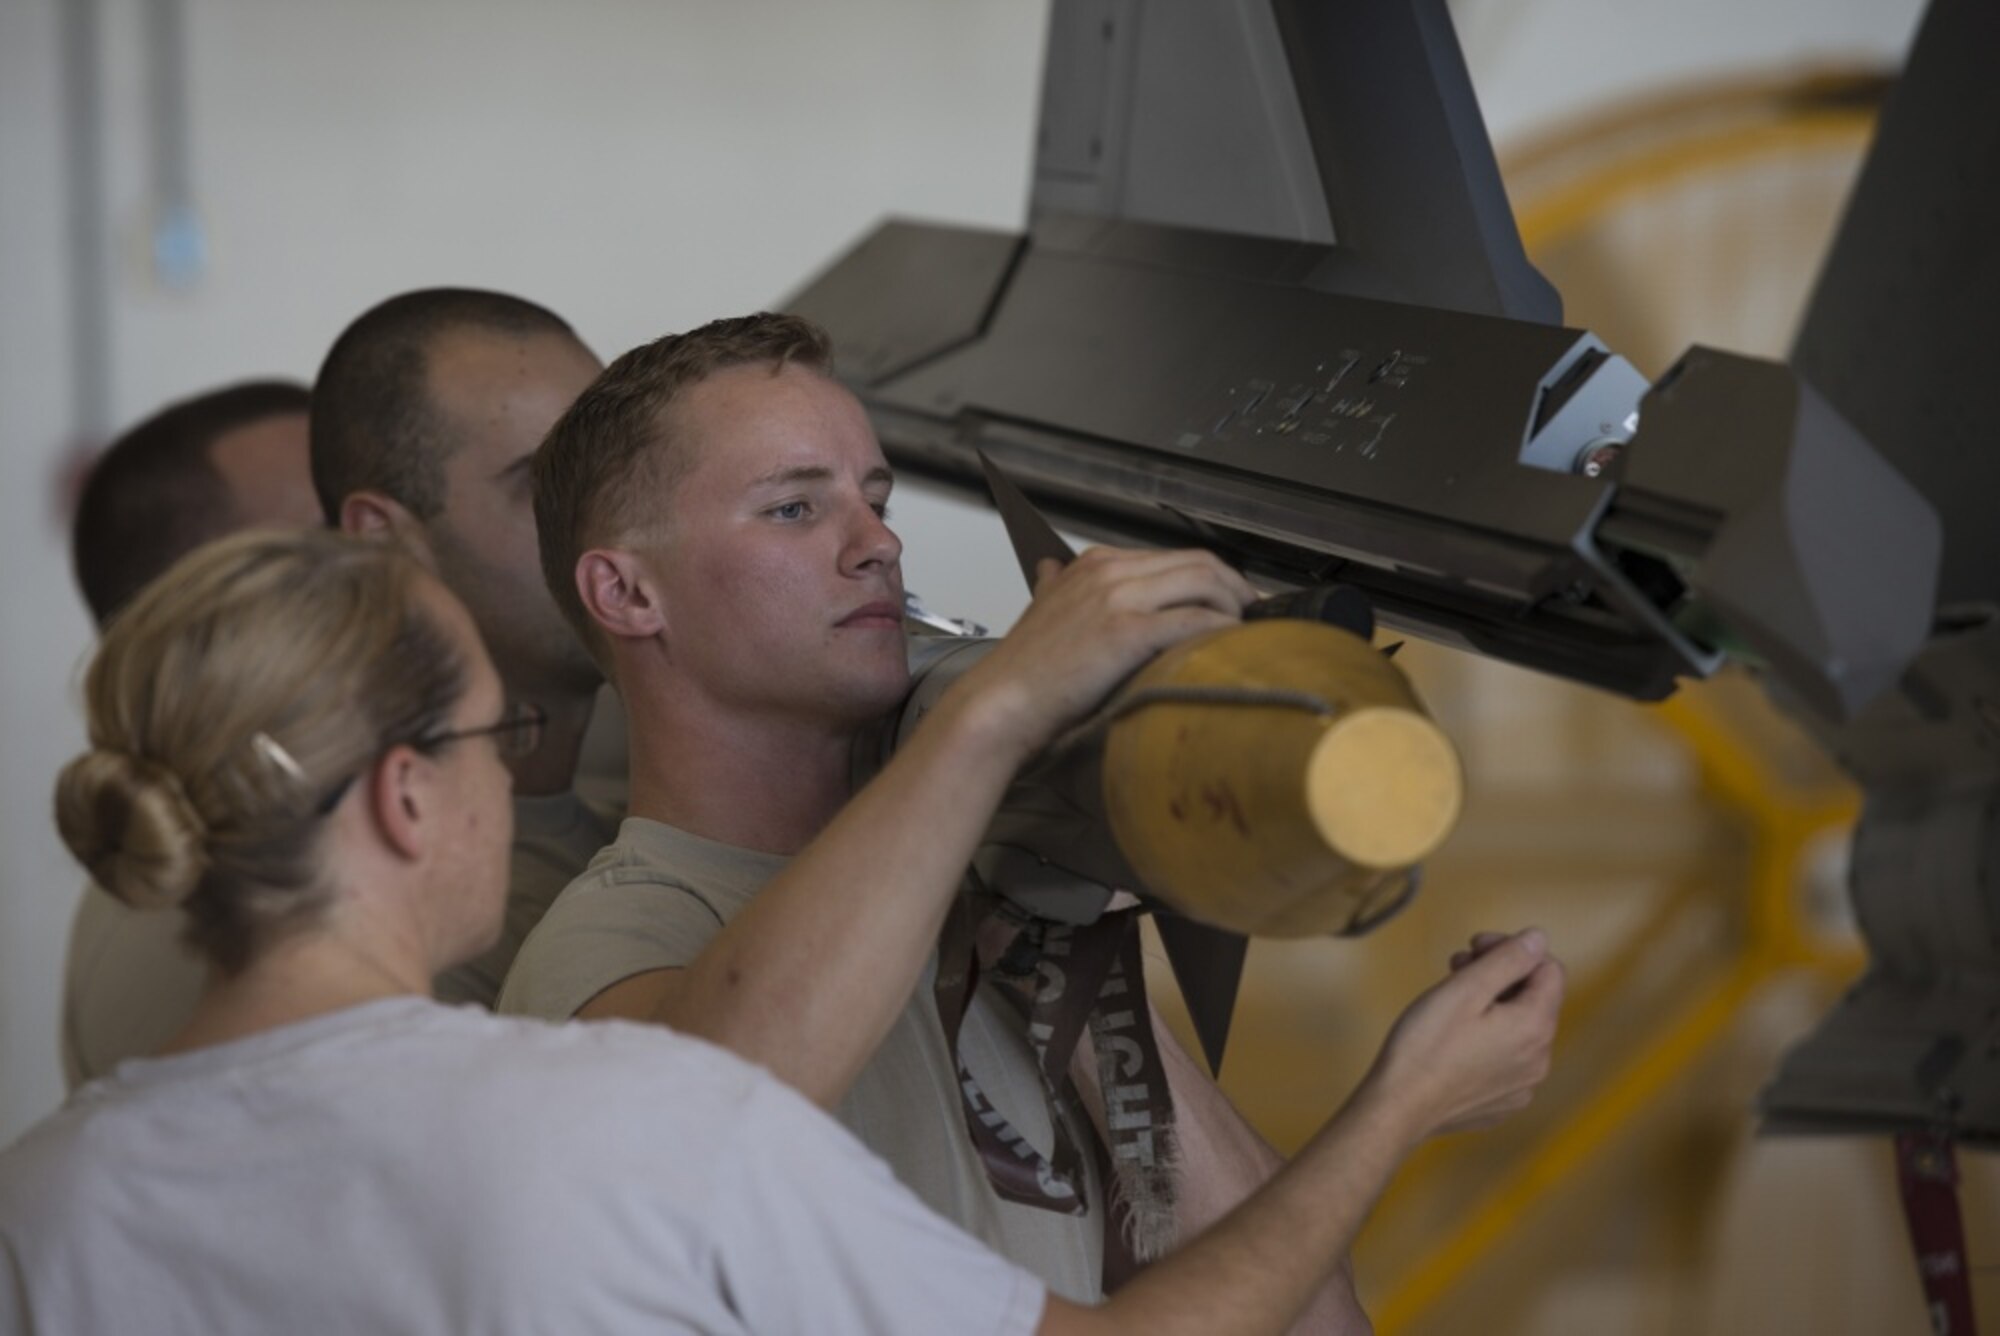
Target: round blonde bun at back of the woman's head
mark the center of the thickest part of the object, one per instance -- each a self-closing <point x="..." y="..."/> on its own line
<point x="131" y="823"/>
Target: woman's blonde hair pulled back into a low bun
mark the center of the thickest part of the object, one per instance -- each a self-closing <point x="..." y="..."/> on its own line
<point x="219" y="731"/>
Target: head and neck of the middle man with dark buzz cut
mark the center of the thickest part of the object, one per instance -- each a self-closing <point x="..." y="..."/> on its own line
<point x="425" y="419"/>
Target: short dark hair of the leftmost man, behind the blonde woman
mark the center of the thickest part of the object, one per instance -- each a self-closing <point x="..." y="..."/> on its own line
<point x="157" y="495"/>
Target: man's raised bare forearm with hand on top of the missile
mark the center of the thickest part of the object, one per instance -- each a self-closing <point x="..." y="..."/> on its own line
<point x="811" y="977"/>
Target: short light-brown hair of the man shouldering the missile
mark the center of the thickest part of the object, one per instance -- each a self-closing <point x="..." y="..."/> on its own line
<point x="613" y="455"/>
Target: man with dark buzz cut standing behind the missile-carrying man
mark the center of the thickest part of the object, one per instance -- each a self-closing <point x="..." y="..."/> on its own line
<point x="425" y="419"/>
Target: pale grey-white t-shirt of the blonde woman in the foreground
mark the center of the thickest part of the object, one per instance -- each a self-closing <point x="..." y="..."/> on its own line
<point x="405" y="1167"/>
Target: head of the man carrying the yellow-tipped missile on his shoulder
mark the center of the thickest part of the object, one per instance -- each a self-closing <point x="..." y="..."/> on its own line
<point x="723" y="495"/>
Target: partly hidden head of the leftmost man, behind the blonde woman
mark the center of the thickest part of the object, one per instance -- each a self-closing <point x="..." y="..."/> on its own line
<point x="189" y="475"/>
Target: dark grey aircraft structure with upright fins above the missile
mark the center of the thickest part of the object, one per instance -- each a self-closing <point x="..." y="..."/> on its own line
<point x="1273" y="301"/>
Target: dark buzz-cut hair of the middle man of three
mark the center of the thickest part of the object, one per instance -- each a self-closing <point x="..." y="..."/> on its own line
<point x="373" y="421"/>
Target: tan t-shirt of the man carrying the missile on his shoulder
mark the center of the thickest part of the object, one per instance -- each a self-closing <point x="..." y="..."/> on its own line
<point x="661" y="895"/>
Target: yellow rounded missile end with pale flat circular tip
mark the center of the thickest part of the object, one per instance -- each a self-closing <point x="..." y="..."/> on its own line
<point x="1279" y="779"/>
